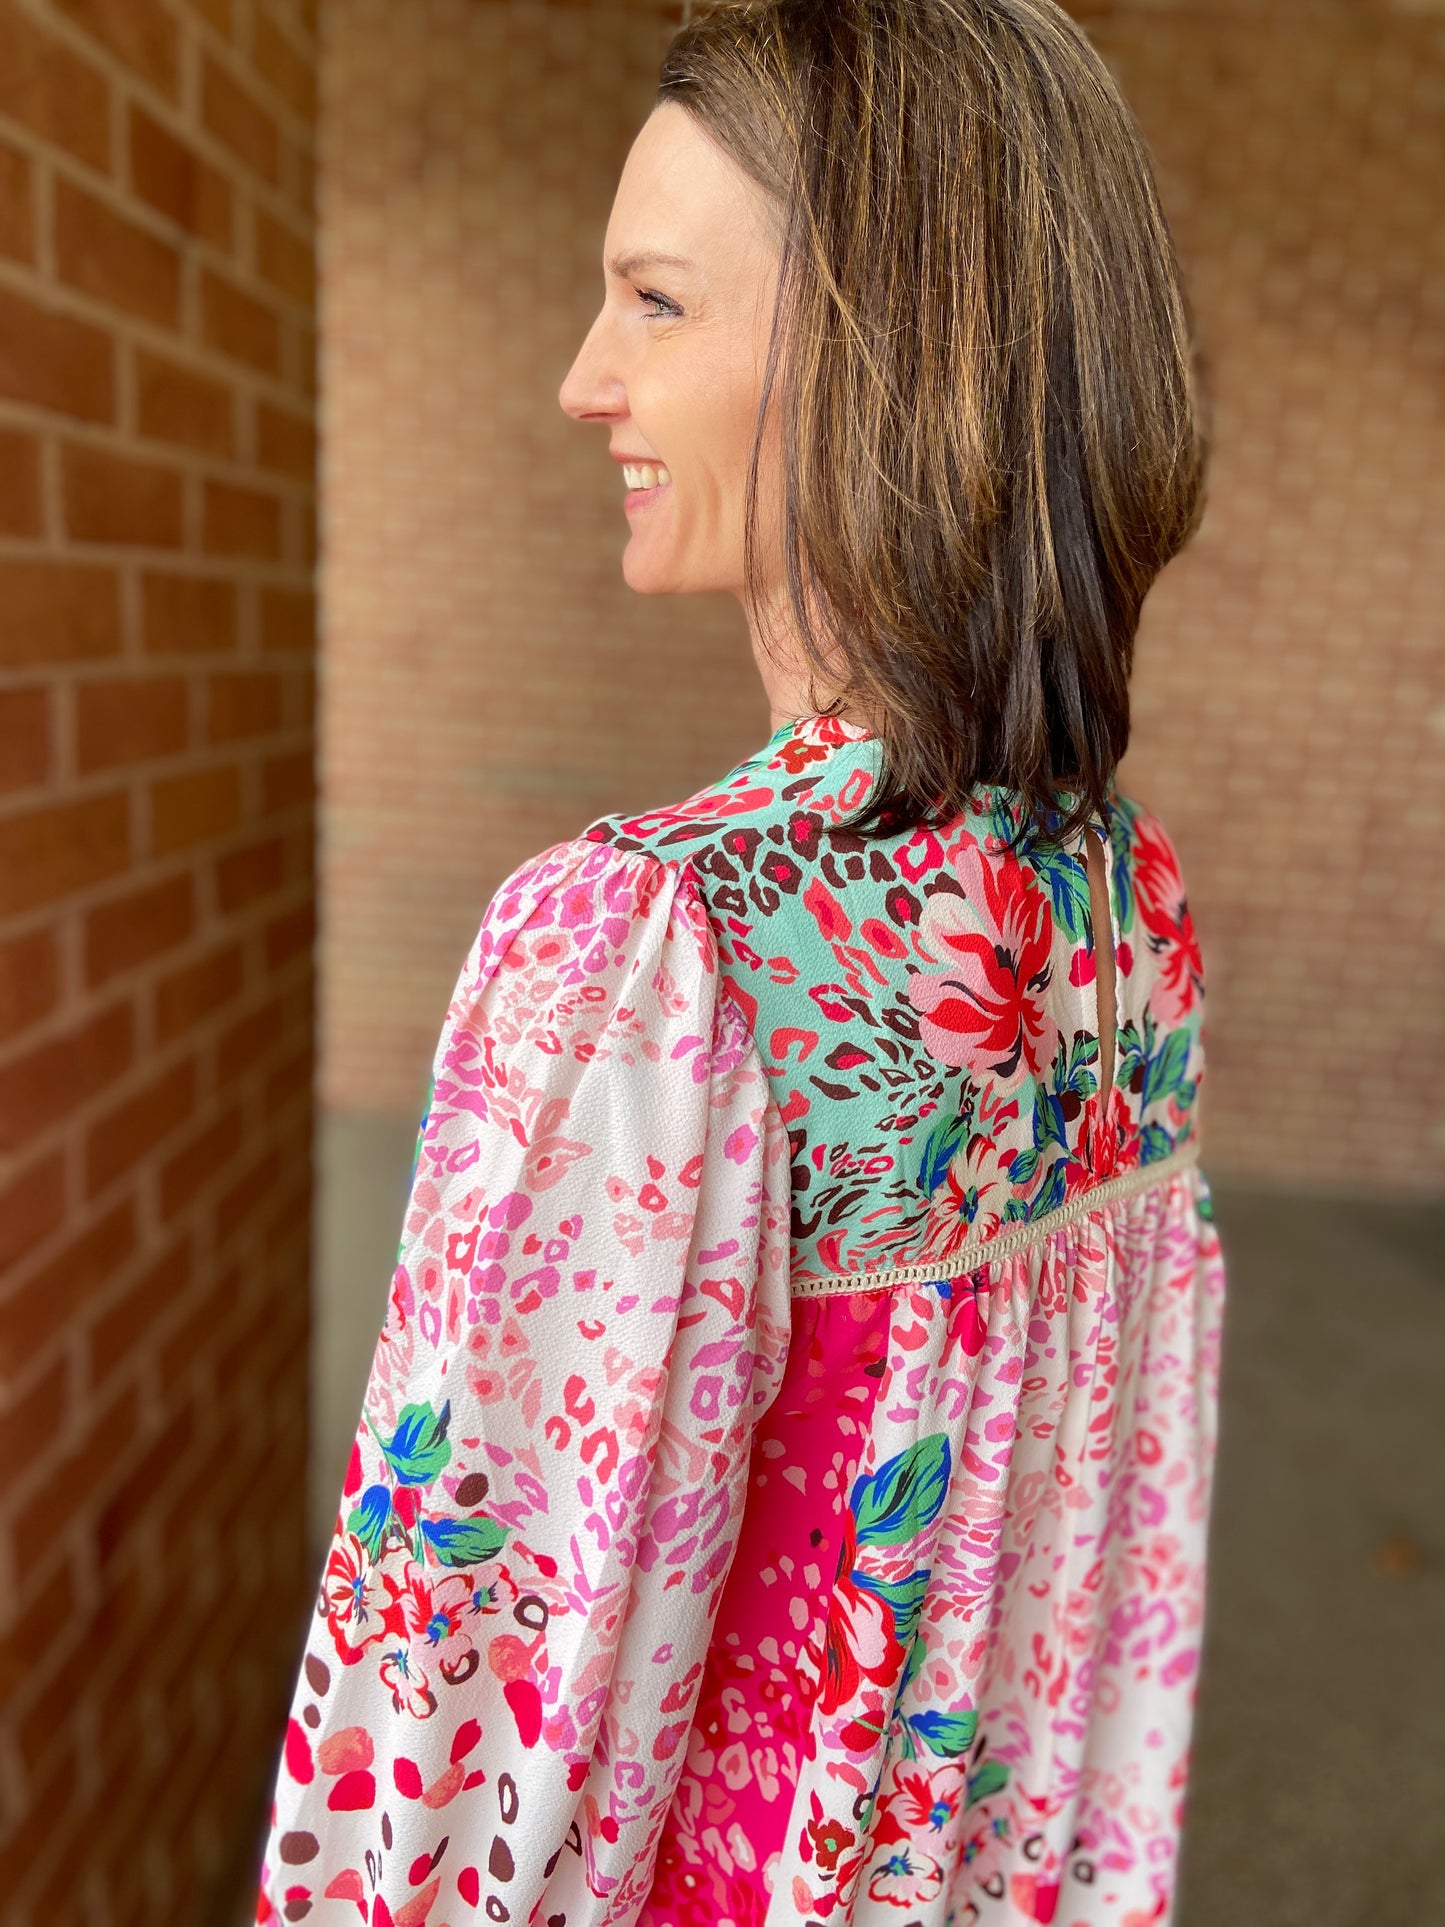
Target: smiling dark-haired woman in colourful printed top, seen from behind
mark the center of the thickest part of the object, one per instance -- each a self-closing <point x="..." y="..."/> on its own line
<point x="783" y="1479"/>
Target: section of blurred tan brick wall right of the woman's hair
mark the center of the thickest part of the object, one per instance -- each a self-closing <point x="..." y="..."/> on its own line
<point x="1292" y="668"/>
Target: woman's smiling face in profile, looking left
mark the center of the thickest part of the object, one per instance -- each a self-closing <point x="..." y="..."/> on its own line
<point x="673" y="365"/>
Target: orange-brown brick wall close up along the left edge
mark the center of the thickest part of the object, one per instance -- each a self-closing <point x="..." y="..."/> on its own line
<point x="157" y="552"/>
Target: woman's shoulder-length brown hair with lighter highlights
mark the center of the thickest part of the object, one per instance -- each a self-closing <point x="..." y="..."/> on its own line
<point x="991" y="419"/>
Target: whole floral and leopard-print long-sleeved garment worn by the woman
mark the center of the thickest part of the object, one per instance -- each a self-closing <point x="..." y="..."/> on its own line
<point x="783" y="1479"/>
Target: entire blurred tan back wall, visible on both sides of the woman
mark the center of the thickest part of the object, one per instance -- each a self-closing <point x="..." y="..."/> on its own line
<point x="492" y="683"/>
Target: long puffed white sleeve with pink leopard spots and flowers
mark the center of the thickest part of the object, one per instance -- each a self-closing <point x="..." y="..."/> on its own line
<point x="587" y="1319"/>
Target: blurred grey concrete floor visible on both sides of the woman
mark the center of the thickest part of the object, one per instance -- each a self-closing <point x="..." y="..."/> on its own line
<point x="1319" y="1778"/>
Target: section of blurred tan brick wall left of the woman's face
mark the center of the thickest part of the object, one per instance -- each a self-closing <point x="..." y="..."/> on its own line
<point x="490" y="679"/>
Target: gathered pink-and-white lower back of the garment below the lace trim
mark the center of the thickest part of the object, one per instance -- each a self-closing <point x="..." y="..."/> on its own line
<point x="1070" y="1390"/>
